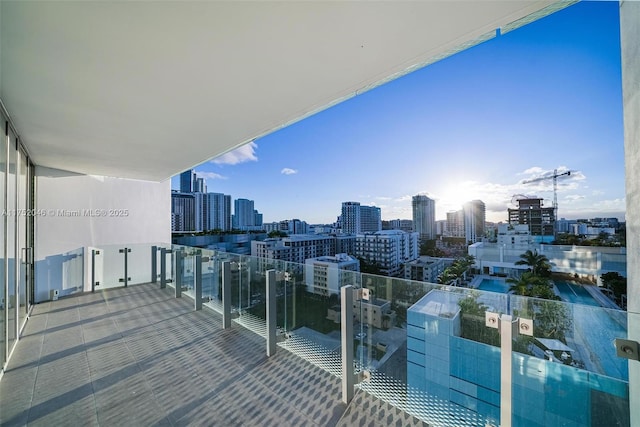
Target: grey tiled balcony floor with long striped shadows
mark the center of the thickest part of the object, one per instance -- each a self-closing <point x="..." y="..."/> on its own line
<point x="137" y="356"/>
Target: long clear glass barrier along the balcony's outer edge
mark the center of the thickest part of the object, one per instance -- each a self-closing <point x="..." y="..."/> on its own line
<point x="434" y="351"/>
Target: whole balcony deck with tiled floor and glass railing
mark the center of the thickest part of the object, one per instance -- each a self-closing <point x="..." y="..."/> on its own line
<point x="190" y="340"/>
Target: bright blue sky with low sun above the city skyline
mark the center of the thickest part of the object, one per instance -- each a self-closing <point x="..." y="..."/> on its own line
<point x="473" y="126"/>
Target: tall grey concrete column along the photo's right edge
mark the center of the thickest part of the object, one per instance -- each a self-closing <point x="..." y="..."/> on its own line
<point x="630" y="57"/>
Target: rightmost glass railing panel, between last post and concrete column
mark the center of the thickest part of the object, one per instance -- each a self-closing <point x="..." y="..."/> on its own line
<point x="569" y="370"/>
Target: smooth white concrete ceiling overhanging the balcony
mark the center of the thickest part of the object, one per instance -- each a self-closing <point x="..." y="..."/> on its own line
<point x="148" y="89"/>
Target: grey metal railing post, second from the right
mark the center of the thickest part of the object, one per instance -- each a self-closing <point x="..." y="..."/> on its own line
<point x="346" y="336"/>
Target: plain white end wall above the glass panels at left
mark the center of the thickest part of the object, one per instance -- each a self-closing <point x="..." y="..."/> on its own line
<point x="141" y="214"/>
